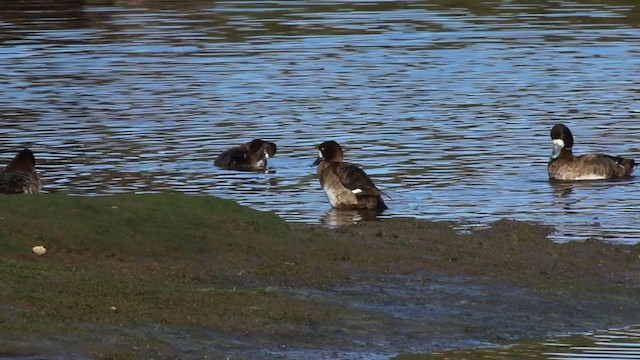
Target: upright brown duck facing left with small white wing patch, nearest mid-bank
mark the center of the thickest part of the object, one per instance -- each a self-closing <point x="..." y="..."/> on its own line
<point x="346" y="185"/>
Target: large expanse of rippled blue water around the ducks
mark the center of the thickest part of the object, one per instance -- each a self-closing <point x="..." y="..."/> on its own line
<point x="447" y="104"/>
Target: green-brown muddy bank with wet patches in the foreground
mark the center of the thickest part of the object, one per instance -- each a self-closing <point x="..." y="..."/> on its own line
<point x="197" y="276"/>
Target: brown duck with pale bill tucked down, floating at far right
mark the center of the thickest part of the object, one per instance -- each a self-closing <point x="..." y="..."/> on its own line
<point x="563" y="165"/>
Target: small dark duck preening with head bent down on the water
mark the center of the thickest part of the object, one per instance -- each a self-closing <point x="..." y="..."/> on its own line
<point x="249" y="156"/>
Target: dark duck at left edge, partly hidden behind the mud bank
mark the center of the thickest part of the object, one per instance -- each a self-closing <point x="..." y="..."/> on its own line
<point x="20" y="176"/>
